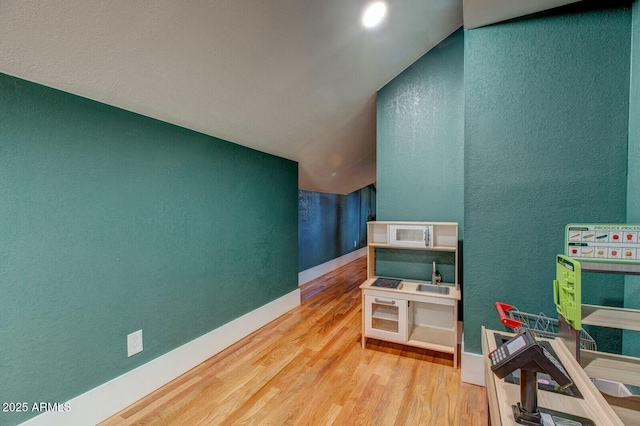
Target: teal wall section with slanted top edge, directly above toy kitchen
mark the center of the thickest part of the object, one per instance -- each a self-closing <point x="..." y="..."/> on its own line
<point x="420" y="139"/>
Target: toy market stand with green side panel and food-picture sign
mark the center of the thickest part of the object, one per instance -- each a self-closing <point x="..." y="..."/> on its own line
<point x="609" y="249"/>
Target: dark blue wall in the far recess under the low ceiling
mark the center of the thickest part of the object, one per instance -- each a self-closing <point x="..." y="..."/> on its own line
<point x="329" y="224"/>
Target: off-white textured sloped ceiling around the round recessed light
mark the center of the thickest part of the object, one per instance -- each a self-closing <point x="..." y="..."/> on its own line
<point x="296" y="79"/>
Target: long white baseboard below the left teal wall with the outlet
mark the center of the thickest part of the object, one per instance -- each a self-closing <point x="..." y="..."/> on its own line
<point x="109" y="398"/>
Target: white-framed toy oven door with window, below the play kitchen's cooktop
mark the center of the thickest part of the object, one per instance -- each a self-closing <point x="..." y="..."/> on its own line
<point x="385" y="318"/>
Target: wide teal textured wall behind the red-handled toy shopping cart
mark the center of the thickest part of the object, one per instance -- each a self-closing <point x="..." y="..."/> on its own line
<point x="546" y="118"/>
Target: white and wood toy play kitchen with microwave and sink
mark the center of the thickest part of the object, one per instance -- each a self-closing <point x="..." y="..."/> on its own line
<point x="411" y="312"/>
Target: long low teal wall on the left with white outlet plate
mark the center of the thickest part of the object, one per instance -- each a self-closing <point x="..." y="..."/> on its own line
<point x="113" y="222"/>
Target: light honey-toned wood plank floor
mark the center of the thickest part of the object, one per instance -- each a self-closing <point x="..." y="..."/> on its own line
<point x="308" y="368"/>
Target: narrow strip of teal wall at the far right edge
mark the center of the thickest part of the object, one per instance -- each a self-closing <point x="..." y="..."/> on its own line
<point x="631" y="339"/>
